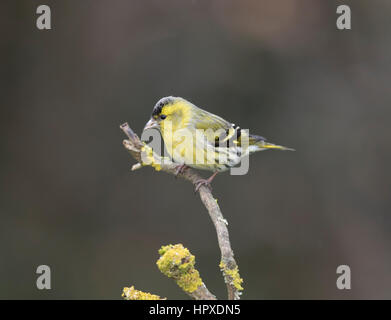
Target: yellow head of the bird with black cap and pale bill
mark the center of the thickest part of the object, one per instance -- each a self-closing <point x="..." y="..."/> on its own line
<point x="168" y="109"/>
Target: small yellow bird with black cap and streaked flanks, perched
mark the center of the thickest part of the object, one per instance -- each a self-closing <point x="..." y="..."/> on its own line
<point x="199" y="139"/>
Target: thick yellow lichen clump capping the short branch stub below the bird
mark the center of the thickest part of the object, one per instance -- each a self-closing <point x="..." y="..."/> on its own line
<point x="178" y="263"/>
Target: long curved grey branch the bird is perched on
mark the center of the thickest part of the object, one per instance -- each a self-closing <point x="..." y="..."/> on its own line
<point x="228" y="266"/>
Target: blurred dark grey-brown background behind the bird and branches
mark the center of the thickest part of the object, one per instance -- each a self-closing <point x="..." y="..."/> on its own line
<point x="280" y="68"/>
